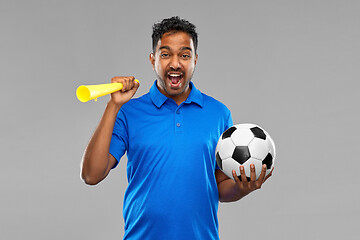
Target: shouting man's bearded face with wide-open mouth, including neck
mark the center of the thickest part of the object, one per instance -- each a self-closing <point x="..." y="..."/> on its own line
<point x="174" y="63"/>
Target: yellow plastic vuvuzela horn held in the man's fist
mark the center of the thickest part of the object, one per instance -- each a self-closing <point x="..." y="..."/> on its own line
<point x="88" y="92"/>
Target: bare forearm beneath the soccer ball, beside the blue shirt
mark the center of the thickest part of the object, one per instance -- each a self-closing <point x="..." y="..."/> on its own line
<point x="229" y="192"/>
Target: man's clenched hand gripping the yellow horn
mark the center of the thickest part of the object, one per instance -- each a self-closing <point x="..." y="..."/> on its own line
<point x="129" y="89"/>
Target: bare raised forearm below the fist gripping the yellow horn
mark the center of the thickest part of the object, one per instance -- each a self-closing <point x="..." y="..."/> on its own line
<point x="95" y="162"/>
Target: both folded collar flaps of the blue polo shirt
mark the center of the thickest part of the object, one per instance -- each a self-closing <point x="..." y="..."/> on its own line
<point x="159" y="99"/>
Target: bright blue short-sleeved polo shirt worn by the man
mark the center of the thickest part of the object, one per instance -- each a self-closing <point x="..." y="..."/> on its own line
<point x="172" y="191"/>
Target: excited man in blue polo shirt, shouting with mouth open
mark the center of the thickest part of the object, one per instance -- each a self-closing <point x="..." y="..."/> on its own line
<point x="169" y="135"/>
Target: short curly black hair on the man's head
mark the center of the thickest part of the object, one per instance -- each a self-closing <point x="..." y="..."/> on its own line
<point x="174" y="24"/>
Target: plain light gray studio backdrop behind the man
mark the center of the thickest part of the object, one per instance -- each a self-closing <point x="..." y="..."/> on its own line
<point x="290" y="66"/>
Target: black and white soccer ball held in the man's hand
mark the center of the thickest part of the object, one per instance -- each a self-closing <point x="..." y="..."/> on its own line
<point x="244" y="144"/>
